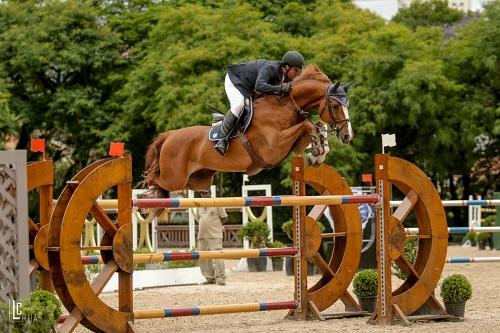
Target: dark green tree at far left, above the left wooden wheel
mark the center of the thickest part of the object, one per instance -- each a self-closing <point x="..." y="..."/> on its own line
<point x="61" y="66"/>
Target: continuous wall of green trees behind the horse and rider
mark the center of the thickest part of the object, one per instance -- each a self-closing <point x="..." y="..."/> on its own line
<point x="83" y="73"/>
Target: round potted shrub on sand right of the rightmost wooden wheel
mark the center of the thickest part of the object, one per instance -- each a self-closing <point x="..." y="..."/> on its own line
<point x="455" y="291"/>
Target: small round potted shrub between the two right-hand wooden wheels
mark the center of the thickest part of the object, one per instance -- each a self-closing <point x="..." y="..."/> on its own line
<point x="365" y="288"/>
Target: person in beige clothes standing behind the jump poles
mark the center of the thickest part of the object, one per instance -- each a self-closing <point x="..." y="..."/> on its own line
<point x="210" y="220"/>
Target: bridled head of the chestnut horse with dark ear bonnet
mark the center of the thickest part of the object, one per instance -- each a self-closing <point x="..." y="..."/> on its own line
<point x="335" y="111"/>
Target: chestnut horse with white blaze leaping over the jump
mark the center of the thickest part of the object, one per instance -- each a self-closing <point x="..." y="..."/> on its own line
<point x="185" y="158"/>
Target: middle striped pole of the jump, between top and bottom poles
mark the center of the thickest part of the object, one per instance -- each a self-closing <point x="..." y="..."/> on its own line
<point x="221" y="254"/>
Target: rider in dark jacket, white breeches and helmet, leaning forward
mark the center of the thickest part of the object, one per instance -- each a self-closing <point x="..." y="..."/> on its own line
<point x="263" y="76"/>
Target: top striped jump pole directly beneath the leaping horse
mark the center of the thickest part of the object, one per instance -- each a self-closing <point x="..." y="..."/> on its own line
<point x="261" y="201"/>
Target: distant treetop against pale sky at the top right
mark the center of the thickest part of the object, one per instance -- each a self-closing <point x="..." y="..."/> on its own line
<point x="428" y="13"/>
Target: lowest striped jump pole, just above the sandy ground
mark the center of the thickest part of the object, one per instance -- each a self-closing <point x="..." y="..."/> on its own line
<point x="214" y="309"/>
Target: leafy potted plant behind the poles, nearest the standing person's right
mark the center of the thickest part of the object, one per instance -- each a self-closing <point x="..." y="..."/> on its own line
<point x="257" y="234"/>
